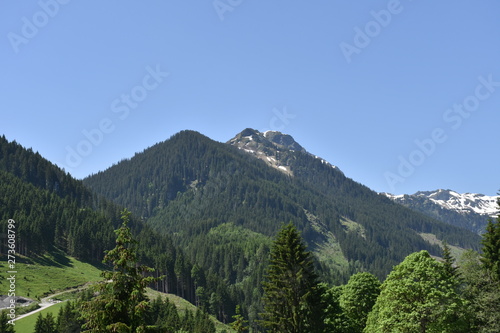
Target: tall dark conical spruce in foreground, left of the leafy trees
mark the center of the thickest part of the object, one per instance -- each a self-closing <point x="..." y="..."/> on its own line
<point x="292" y="295"/>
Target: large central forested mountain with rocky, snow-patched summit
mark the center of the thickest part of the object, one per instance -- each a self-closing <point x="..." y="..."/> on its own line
<point x="222" y="206"/>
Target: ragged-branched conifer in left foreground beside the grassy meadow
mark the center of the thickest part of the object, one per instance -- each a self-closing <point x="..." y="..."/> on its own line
<point x="122" y="303"/>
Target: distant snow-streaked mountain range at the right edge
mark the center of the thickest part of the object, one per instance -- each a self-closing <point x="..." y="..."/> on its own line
<point x="468" y="210"/>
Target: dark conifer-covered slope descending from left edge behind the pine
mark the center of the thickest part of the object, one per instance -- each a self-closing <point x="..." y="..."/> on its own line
<point x="53" y="210"/>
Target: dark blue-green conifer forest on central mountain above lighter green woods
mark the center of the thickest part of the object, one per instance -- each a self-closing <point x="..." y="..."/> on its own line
<point x="189" y="184"/>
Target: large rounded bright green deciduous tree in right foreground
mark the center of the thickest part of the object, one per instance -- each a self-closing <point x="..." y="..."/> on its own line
<point x="418" y="296"/>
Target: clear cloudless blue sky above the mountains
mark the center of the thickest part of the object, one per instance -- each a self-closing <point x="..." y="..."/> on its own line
<point x="401" y="95"/>
